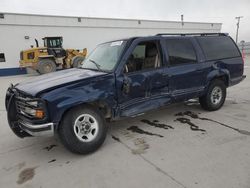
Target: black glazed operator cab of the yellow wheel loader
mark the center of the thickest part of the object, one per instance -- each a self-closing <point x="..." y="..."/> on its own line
<point x="54" y="45"/>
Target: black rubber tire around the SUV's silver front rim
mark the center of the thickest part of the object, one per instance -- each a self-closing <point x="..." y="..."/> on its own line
<point x="71" y="140"/>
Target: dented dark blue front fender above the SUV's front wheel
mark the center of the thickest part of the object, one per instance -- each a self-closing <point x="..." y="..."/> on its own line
<point x="62" y="99"/>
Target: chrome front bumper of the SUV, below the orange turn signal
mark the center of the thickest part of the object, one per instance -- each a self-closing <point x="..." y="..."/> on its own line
<point x="46" y="129"/>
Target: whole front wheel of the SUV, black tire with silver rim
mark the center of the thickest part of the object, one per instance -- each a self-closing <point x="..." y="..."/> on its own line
<point x="83" y="130"/>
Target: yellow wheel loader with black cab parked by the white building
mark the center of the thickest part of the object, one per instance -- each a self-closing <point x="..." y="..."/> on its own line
<point x="51" y="57"/>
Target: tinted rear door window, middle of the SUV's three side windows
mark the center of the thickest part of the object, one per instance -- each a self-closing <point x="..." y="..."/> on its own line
<point x="180" y="51"/>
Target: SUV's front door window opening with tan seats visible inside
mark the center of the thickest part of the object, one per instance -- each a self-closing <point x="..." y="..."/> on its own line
<point x="145" y="56"/>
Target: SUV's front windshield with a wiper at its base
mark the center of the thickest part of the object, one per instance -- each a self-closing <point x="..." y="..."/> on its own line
<point x="105" y="56"/>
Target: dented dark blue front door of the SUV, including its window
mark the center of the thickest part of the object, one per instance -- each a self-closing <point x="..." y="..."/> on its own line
<point x="141" y="80"/>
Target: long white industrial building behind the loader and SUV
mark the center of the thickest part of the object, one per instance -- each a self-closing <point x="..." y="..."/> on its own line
<point x="19" y="31"/>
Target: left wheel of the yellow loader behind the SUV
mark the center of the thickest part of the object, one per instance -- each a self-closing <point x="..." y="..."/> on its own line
<point x="46" y="66"/>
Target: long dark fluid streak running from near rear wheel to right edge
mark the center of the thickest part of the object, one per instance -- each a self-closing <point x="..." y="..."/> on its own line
<point x="196" y="116"/>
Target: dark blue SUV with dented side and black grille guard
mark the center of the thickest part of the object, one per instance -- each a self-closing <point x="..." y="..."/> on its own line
<point x="124" y="78"/>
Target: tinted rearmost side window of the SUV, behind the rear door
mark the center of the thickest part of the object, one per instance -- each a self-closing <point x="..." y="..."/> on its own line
<point x="218" y="47"/>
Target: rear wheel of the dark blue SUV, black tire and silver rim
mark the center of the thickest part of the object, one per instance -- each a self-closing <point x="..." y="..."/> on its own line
<point x="210" y="103"/>
